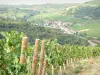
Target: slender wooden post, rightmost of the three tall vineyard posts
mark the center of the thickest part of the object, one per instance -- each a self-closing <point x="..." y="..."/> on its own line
<point x="41" y="58"/>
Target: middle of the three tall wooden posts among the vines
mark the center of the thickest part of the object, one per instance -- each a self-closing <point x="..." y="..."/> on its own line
<point x="35" y="56"/>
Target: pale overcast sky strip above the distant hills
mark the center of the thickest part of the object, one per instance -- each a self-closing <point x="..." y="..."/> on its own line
<point x="29" y="2"/>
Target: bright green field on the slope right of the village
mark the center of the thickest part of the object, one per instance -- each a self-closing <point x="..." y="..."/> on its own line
<point x="93" y="26"/>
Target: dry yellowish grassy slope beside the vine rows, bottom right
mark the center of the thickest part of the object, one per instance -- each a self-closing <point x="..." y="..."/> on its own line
<point x="84" y="67"/>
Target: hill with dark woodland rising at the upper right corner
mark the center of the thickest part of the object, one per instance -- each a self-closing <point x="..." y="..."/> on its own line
<point x="90" y="10"/>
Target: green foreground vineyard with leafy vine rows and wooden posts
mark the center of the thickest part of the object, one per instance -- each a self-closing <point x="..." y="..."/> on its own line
<point x="19" y="57"/>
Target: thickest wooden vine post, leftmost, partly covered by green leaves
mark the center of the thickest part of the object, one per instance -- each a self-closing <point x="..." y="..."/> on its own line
<point x="24" y="50"/>
